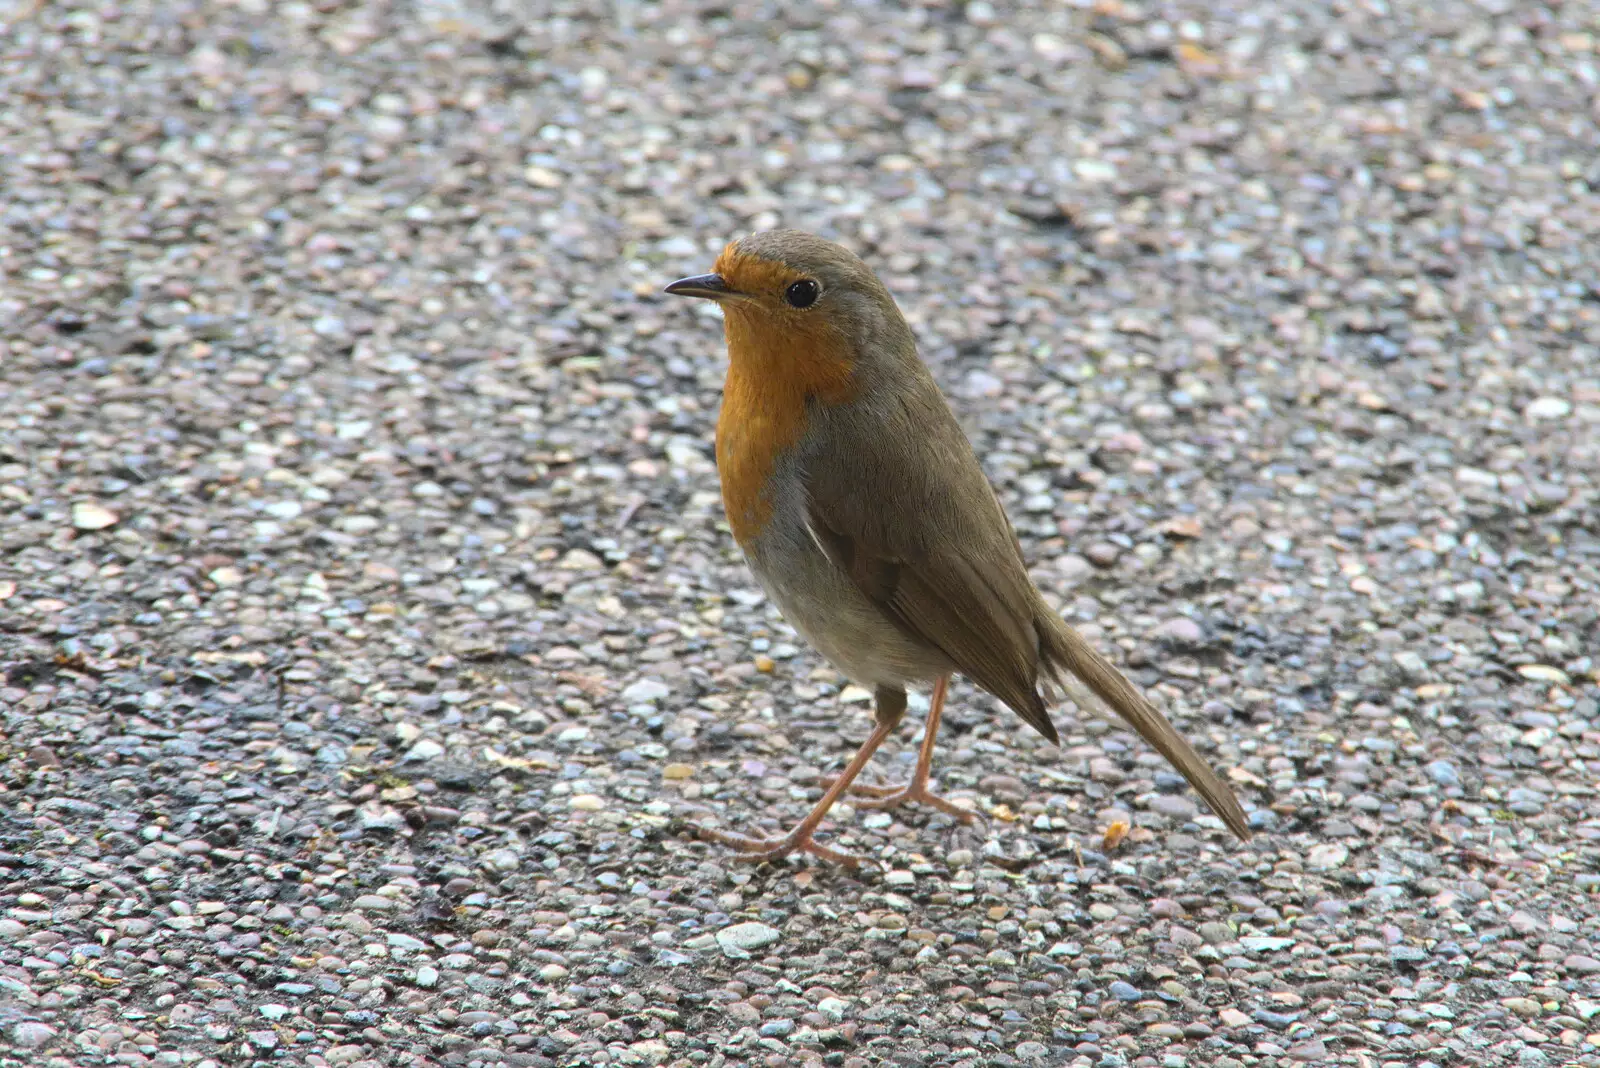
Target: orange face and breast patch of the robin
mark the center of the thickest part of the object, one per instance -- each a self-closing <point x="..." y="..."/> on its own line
<point x="778" y="359"/>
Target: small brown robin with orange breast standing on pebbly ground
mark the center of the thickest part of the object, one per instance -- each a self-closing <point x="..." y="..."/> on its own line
<point x="862" y="509"/>
